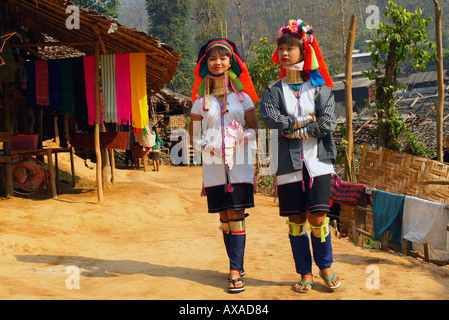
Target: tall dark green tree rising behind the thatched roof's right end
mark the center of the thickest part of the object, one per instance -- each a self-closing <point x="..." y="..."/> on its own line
<point x="170" y="21"/>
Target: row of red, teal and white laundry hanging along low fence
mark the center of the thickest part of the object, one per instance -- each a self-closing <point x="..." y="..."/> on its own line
<point x="396" y="218"/>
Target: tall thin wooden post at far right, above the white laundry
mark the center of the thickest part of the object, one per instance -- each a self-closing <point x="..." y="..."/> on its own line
<point x="439" y="104"/>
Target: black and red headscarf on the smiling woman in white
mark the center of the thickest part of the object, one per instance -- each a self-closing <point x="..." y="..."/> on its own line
<point x="240" y="79"/>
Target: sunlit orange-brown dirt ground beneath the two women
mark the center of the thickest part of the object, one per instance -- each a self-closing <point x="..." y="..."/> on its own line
<point x="152" y="239"/>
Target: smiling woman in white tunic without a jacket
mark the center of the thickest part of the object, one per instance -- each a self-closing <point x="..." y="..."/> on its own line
<point x="224" y="97"/>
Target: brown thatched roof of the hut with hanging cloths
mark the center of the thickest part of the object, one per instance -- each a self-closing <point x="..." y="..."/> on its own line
<point x="49" y="17"/>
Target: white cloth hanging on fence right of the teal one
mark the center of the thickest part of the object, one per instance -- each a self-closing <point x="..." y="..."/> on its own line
<point x="425" y="221"/>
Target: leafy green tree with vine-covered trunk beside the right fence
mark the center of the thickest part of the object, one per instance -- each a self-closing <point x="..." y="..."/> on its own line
<point x="405" y="36"/>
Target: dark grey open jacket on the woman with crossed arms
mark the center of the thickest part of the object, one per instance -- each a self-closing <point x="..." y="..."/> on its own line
<point x="274" y="114"/>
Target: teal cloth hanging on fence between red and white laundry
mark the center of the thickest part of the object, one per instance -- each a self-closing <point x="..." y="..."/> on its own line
<point x="387" y="215"/>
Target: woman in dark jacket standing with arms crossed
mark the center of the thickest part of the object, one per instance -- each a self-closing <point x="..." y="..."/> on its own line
<point x="300" y="105"/>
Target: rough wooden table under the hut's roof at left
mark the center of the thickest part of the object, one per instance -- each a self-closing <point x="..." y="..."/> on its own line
<point x="53" y="170"/>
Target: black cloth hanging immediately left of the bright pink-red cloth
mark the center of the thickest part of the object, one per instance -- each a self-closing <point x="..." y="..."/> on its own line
<point x="79" y="90"/>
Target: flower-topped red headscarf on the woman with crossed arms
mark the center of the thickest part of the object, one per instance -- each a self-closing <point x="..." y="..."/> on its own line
<point x="315" y="68"/>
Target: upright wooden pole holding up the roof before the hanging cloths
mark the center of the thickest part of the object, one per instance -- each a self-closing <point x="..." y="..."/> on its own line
<point x="97" y="124"/>
